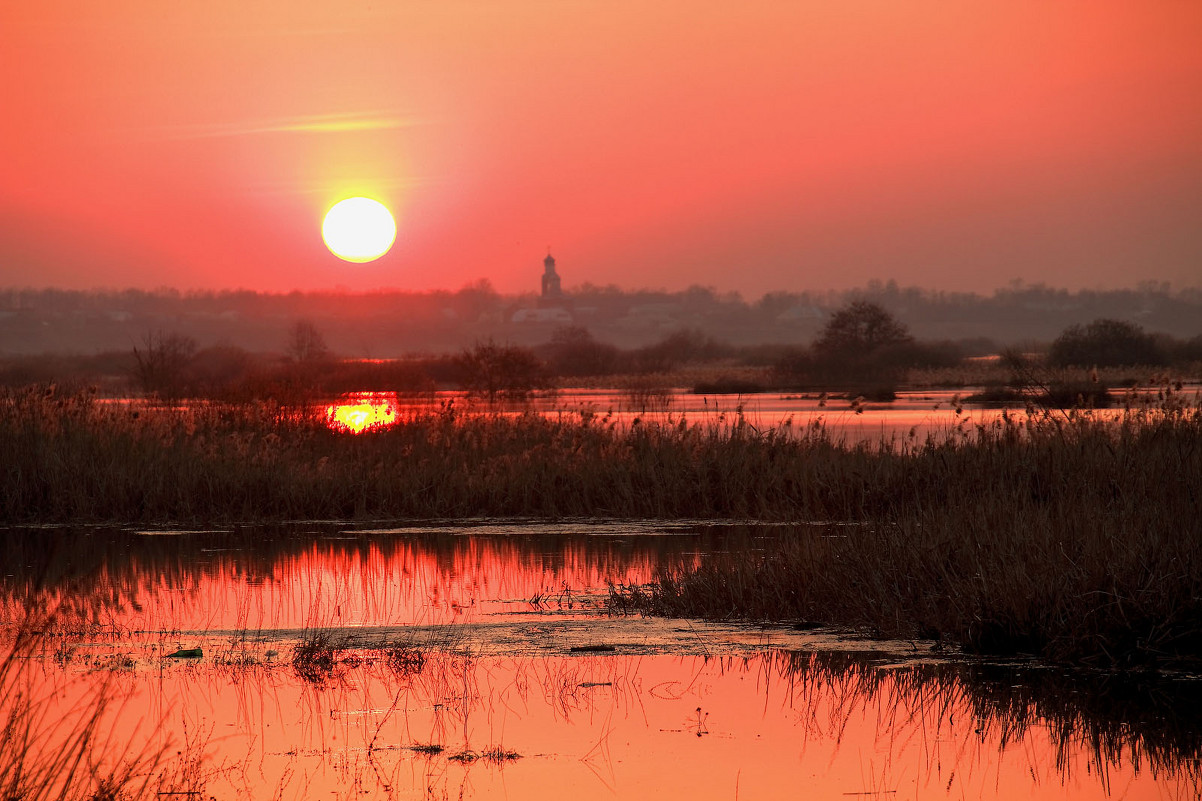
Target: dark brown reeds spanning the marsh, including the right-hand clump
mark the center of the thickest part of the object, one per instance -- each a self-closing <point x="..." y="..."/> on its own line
<point x="1070" y="536"/>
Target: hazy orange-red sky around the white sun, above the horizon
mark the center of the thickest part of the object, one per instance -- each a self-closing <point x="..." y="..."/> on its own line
<point x="749" y="146"/>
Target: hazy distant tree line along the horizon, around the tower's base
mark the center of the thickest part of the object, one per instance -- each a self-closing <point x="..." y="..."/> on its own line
<point x="400" y="323"/>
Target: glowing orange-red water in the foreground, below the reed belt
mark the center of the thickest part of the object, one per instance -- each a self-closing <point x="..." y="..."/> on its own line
<point x="481" y="661"/>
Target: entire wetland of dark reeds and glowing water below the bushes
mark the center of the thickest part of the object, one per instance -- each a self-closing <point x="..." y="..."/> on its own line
<point x="246" y="601"/>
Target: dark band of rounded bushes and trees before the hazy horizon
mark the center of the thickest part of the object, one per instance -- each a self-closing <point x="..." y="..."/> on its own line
<point x="862" y="349"/>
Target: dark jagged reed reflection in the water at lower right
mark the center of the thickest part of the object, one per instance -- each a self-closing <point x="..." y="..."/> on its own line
<point x="1147" y="722"/>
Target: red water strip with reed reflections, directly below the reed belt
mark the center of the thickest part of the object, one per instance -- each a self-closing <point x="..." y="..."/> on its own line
<point x="259" y="579"/>
